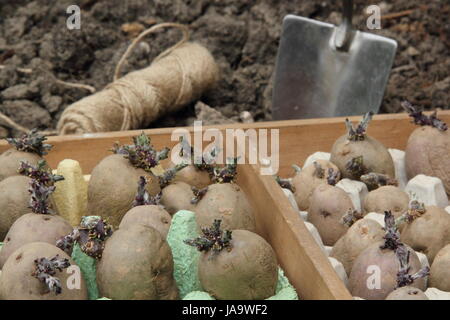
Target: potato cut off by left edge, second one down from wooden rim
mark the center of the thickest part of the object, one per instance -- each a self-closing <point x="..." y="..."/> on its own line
<point x="14" y="201"/>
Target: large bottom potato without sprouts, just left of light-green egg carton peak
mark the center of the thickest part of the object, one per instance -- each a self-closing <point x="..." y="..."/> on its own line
<point x="136" y="264"/>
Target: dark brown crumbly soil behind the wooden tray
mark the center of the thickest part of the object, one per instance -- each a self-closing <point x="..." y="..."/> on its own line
<point x="242" y="35"/>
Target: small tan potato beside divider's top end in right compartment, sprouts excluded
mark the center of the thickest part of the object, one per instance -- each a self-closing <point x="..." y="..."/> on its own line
<point x="305" y="182"/>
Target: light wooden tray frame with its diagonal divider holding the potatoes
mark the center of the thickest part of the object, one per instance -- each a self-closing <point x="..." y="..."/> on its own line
<point x="305" y="265"/>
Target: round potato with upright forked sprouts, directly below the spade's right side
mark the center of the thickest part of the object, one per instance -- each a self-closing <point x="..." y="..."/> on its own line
<point x="357" y="153"/>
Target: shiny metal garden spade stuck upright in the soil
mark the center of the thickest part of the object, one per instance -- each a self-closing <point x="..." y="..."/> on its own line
<point x="328" y="71"/>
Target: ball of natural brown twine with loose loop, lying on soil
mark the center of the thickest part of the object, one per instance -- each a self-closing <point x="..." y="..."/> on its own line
<point x="175" y="78"/>
